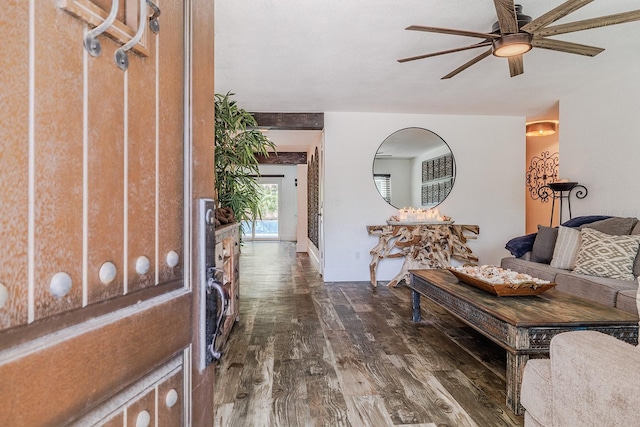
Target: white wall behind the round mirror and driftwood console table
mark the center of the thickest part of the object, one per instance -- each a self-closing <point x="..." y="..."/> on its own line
<point x="489" y="154"/>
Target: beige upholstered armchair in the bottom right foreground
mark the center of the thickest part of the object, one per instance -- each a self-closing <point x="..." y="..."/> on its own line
<point x="590" y="379"/>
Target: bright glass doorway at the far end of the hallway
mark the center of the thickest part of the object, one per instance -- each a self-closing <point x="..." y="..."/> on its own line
<point x="266" y="227"/>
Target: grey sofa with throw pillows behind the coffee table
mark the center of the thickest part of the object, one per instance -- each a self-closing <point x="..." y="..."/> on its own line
<point x="593" y="257"/>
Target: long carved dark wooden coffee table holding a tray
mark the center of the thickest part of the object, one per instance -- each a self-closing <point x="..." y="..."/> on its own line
<point x="522" y="325"/>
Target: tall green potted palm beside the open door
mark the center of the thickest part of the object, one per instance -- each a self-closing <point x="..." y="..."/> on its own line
<point x="237" y="143"/>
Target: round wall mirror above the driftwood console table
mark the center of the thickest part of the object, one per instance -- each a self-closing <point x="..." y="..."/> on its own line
<point x="414" y="167"/>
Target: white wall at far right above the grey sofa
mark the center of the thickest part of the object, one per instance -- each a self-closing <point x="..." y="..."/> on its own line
<point x="600" y="144"/>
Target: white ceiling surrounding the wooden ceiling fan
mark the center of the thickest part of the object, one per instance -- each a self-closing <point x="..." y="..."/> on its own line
<point x="341" y="55"/>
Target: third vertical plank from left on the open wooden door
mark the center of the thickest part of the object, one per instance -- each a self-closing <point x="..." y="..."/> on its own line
<point x="105" y="189"/>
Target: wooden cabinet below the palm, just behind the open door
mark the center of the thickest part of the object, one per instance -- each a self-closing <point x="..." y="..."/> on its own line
<point x="227" y="260"/>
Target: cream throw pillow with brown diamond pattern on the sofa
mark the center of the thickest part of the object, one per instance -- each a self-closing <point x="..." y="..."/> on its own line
<point x="604" y="255"/>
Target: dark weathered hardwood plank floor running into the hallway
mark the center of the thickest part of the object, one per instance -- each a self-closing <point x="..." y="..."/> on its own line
<point x="308" y="353"/>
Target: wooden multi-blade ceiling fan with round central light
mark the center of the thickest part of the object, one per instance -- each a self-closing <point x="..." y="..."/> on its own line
<point x="514" y="34"/>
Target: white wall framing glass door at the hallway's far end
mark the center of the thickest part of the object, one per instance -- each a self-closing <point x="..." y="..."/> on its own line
<point x="288" y="216"/>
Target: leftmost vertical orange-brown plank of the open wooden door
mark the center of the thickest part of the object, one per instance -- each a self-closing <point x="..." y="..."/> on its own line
<point x="14" y="163"/>
